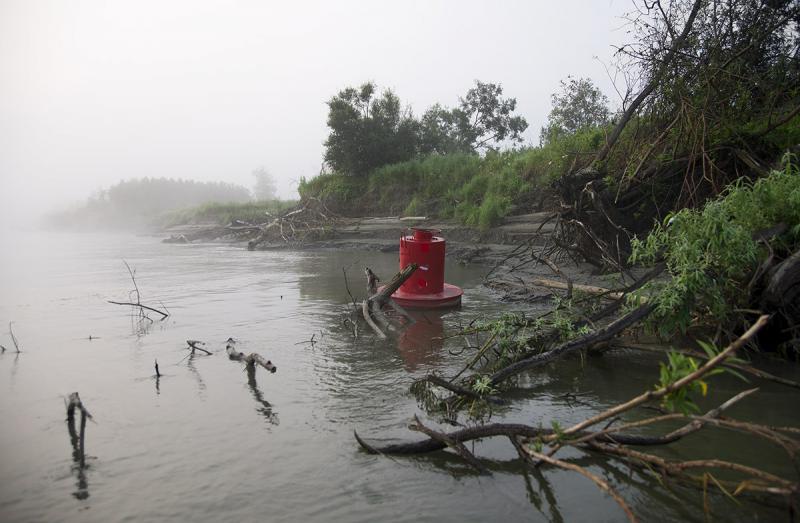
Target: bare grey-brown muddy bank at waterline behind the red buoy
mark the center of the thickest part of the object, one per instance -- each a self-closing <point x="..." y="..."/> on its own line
<point x="490" y="249"/>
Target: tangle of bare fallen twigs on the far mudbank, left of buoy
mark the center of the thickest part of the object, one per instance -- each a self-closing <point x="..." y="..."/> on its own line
<point x="309" y="221"/>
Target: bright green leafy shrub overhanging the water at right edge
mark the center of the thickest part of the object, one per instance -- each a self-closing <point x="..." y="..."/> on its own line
<point x="711" y="253"/>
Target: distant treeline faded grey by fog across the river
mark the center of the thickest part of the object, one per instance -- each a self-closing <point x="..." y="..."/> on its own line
<point x="140" y="202"/>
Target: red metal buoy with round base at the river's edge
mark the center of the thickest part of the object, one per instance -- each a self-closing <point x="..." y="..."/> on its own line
<point x="426" y="288"/>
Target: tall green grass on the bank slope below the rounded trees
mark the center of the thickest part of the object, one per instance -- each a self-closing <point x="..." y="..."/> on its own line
<point x="474" y="190"/>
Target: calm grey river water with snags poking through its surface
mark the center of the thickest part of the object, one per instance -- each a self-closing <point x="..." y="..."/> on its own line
<point x="207" y="442"/>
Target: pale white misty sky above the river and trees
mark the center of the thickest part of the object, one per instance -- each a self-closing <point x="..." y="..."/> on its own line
<point x="95" y="91"/>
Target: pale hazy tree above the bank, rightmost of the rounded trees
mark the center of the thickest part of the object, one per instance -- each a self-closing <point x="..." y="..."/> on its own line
<point x="578" y="106"/>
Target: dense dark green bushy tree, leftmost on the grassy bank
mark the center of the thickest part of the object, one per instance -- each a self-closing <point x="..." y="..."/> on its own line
<point x="368" y="131"/>
